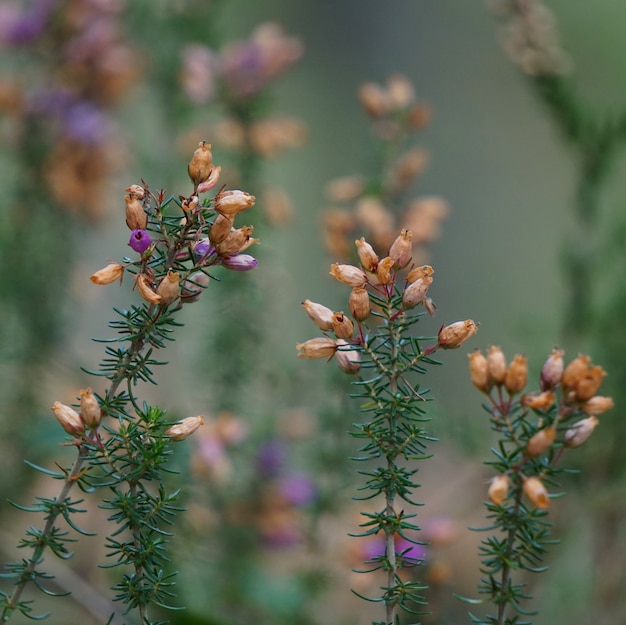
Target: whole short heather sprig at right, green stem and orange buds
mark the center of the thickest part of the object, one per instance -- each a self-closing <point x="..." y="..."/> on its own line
<point x="535" y="429"/>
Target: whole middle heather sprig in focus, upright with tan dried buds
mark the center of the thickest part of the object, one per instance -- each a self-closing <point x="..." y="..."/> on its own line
<point x="377" y="342"/>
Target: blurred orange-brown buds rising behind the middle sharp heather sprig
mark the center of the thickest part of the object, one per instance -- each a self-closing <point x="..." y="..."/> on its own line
<point x="377" y="205"/>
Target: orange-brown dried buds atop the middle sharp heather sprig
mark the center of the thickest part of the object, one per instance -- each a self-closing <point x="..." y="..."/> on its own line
<point x="375" y="280"/>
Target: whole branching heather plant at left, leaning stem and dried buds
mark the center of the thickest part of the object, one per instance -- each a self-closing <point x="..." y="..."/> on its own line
<point x="123" y="444"/>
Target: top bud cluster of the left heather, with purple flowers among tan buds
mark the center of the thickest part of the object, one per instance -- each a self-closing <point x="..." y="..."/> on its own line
<point x="174" y="261"/>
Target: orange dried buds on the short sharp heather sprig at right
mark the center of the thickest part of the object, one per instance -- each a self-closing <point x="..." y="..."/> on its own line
<point x="566" y="392"/>
